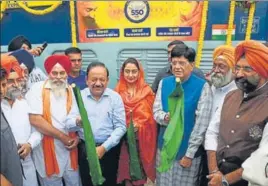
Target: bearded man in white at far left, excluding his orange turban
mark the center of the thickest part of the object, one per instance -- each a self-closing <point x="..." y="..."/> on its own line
<point x="17" y="111"/>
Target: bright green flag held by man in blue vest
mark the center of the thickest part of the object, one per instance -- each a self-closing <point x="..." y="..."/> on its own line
<point x="174" y="131"/>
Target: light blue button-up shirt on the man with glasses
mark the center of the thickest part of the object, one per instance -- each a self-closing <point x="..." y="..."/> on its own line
<point x="106" y="116"/>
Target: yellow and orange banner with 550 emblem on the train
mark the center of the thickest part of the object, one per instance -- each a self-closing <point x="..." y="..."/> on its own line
<point x="138" y="20"/>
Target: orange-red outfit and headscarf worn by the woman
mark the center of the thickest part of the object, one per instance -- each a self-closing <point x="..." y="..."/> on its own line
<point x="141" y="107"/>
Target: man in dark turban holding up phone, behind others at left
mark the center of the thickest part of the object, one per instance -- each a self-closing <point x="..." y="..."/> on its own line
<point x="21" y="42"/>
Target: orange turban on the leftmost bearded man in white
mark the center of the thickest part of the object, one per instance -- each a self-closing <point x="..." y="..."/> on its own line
<point x="10" y="63"/>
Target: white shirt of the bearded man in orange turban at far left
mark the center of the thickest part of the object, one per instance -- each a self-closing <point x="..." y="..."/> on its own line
<point x="18" y="118"/>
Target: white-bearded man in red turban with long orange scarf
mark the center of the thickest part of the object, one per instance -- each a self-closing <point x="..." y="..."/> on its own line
<point x="50" y="102"/>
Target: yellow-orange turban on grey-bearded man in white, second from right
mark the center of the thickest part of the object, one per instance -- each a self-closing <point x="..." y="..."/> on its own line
<point x="227" y="53"/>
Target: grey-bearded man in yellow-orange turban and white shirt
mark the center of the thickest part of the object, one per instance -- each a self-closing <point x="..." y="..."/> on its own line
<point x="222" y="77"/>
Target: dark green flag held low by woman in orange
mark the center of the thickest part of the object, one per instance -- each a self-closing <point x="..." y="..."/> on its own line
<point x="135" y="168"/>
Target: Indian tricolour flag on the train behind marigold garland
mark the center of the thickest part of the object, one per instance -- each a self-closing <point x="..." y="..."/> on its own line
<point x="219" y="32"/>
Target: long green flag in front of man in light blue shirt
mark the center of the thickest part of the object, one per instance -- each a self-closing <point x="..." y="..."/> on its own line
<point x="93" y="160"/>
